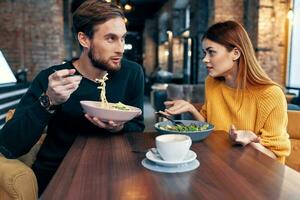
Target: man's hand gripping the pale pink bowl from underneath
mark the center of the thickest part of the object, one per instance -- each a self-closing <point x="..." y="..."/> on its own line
<point x="111" y="126"/>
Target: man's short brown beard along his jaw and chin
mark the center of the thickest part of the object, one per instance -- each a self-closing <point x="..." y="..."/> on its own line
<point x="101" y="63"/>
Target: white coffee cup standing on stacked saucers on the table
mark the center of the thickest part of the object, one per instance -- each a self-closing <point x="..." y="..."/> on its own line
<point x="173" y="147"/>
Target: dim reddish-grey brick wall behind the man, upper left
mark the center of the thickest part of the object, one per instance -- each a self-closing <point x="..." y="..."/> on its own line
<point x="31" y="34"/>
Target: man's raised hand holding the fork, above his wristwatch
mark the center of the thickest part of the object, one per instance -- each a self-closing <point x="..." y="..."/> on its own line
<point x="61" y="85"/>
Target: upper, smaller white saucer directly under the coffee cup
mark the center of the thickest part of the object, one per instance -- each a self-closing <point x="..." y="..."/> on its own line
<point x="158" y="160"/>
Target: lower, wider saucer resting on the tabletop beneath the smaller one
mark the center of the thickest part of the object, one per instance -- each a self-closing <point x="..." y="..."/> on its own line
<point x="177" y="169"/>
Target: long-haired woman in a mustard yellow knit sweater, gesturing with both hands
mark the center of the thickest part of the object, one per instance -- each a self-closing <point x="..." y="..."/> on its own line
<point x="240" y="97"/>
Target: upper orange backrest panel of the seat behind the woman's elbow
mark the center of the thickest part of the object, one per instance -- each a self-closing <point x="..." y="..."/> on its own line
<point x="294" y="124"/>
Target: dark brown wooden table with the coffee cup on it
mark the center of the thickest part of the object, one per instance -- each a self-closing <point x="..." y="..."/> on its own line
<point x="110" y="168"/>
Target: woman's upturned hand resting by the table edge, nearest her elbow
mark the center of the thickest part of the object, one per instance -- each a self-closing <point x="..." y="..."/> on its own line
<point x="242" y="137"/>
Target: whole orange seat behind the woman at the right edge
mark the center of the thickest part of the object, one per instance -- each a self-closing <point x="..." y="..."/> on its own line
<point x="293" y="160"/>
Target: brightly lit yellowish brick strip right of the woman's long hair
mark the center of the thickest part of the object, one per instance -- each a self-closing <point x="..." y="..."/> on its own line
<point x="271" y="40"/>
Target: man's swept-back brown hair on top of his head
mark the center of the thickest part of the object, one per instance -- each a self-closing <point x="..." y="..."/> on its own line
<point x="91" y="13"/>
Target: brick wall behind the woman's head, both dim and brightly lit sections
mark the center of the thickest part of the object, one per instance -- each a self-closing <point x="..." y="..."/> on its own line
<point x="267" y="30"/>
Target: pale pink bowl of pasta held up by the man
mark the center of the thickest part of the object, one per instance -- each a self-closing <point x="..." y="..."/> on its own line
<point x="110" y="111"/>
